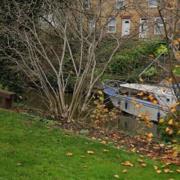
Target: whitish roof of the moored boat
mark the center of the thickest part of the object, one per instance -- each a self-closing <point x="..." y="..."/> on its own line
<point x="149" y="88"/>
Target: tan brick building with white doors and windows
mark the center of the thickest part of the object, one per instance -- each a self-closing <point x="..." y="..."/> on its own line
<point x="138" y="18"/>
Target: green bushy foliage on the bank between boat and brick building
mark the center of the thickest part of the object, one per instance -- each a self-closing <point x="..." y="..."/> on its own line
<point x="129" y="60"/>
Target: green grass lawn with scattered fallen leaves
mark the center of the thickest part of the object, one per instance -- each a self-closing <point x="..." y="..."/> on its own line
<point x="30" y="149"/>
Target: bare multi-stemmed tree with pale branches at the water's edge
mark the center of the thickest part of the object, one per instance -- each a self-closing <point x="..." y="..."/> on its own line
<point x="76" y="44"/>
